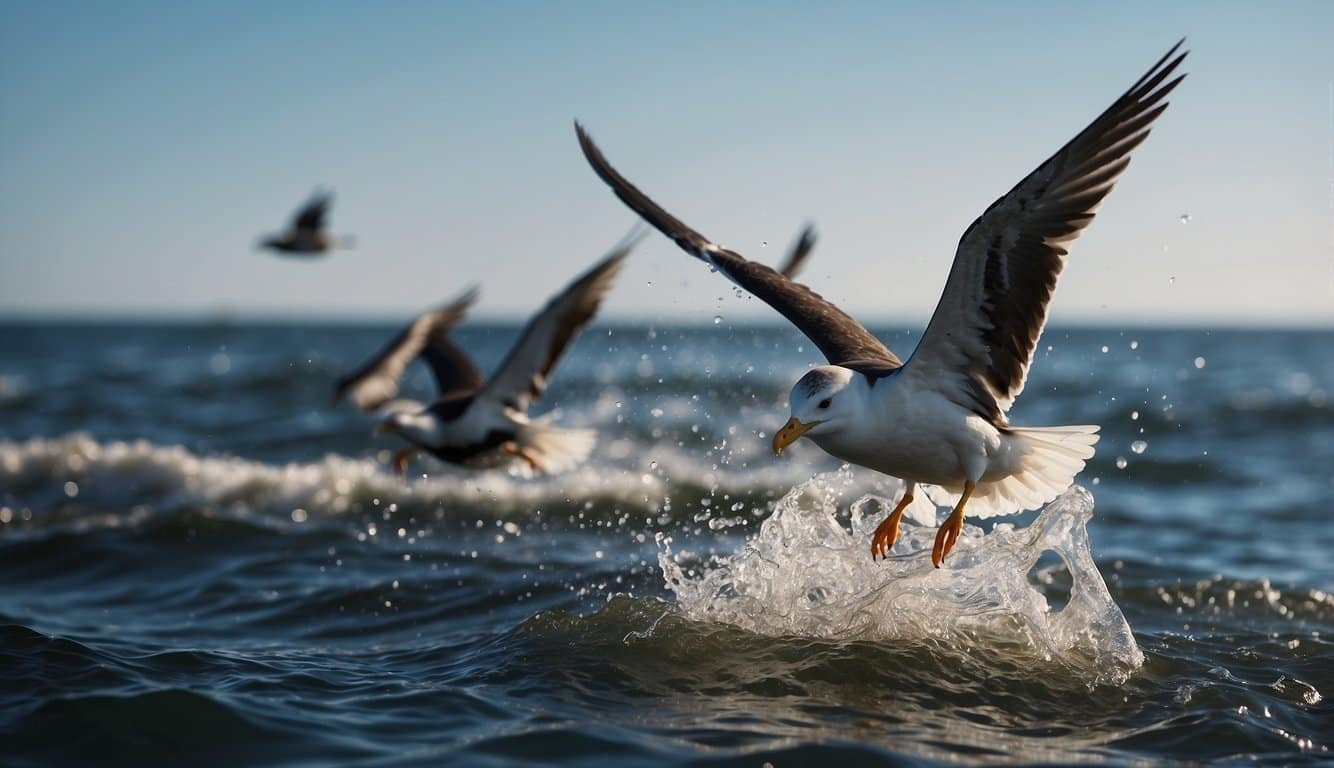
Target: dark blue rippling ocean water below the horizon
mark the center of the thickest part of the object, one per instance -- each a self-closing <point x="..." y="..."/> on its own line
<point x="205" y="563"/>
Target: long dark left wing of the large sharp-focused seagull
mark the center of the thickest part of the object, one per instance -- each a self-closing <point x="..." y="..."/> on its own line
<point x="842" y="341"/>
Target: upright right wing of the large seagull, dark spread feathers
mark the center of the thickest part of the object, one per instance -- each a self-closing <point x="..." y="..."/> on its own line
<point x="982" y="335"/>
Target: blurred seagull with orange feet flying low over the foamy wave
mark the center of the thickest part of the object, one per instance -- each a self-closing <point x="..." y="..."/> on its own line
<point x="485" y="422"/>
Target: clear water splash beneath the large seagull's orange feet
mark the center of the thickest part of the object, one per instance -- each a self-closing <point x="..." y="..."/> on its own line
<point x="806" y="574"/>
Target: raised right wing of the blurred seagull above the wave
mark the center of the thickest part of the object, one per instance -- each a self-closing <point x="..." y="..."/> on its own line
<point x="522" y="378"/>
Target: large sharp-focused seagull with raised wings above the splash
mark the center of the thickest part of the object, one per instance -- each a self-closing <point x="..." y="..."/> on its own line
<point x="941" y="419"/>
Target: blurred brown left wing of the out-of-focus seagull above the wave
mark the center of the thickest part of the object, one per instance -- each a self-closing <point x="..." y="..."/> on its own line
<point x="377" y="382"/>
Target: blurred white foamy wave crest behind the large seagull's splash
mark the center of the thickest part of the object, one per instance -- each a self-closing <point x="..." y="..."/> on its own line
<point x="77" y="478"/>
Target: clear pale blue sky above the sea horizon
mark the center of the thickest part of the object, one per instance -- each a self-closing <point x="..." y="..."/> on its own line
<point x="145" y="147"/>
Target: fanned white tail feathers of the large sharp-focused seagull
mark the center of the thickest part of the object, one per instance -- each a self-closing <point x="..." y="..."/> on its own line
<point x="1052" y="458"/>
